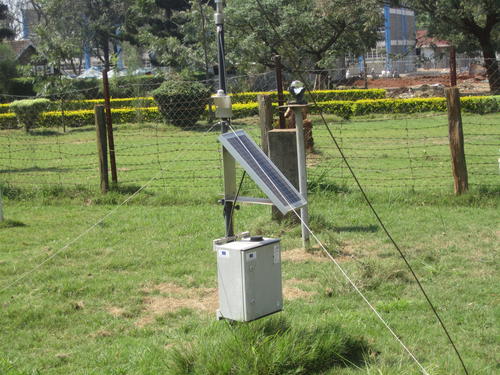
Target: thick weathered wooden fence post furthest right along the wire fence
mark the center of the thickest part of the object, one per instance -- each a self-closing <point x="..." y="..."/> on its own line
<point x="456" y="139"/>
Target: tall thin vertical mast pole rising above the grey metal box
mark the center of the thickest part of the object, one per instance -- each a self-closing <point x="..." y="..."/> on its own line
<point x="229" y="164"/>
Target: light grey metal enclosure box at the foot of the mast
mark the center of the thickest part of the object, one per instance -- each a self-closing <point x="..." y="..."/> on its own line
<point x="249" y="278"/>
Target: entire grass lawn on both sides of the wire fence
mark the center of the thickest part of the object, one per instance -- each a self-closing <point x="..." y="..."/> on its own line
<point x="137" y="295"/>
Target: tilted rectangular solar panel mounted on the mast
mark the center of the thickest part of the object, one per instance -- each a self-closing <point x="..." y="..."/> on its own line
<point x="262" y="170"/>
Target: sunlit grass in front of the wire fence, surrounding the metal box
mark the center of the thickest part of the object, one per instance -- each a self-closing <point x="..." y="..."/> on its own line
<point x="82" y="311"/>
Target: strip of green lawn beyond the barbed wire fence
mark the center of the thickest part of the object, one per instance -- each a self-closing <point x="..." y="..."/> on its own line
<point x="386" y="153"/>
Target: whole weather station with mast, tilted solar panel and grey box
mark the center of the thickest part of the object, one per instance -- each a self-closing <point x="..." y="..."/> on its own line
<point x="248" y="267"/>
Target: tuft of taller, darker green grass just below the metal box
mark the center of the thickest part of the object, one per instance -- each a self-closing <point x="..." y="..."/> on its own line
<point x="269" y="346"/>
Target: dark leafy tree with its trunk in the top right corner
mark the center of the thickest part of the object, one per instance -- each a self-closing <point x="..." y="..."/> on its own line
<point x="470" y="24"/>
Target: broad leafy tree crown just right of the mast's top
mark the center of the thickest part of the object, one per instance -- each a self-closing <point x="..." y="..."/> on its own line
<point x="304" y="32"/>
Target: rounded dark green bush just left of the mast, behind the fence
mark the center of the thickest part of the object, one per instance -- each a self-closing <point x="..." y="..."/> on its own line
<point x="181" y="103"/>
